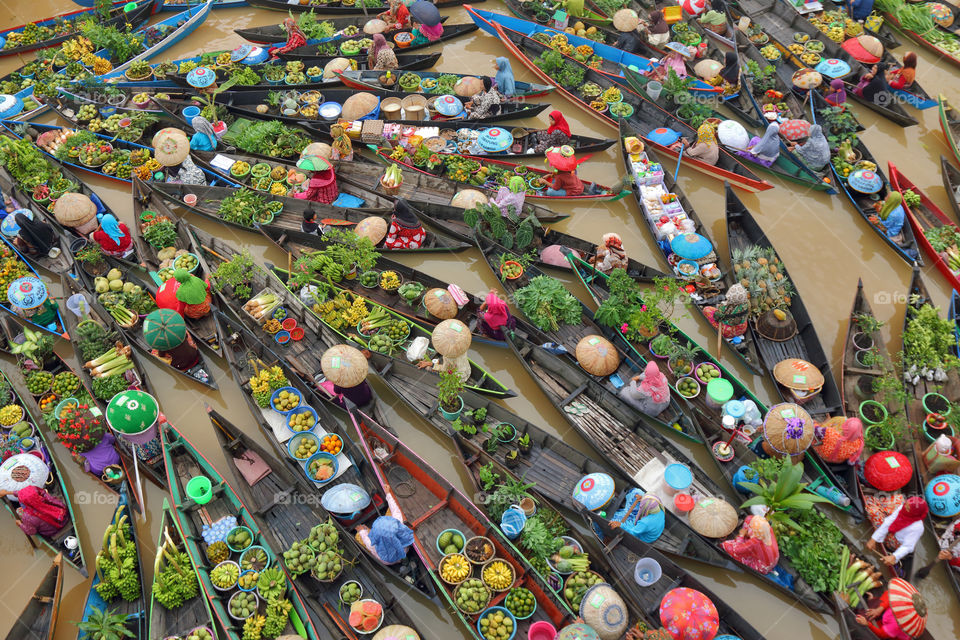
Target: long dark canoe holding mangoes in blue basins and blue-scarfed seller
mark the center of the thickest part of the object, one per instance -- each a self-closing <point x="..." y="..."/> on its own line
<point x="299" y="370"/>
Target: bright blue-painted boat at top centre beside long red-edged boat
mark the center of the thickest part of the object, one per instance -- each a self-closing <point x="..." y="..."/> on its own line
<point x="486" y="20"/>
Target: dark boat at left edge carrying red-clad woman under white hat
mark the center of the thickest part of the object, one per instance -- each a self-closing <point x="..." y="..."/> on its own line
<point x="58" y="487"/>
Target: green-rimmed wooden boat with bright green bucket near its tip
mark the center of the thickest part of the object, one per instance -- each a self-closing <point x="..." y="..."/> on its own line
<point x="184" y="462"/>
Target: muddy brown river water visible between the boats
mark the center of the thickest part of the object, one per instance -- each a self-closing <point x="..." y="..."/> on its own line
<point x="824" y="243"/>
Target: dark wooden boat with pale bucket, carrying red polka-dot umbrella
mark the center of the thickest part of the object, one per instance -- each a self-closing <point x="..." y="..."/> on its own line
<point x="623" y="551"/>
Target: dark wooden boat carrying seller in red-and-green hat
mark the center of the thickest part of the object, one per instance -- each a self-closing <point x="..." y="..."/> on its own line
<point x="145" y="202"/>
